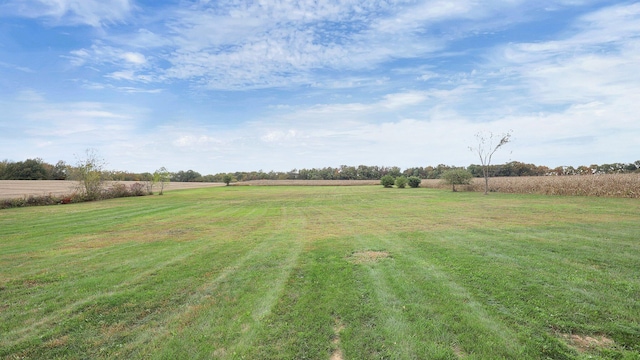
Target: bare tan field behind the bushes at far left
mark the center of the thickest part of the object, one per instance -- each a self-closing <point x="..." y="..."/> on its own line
<point x="10" y="189"/>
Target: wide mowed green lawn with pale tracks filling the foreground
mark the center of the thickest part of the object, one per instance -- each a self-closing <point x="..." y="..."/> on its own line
<point x="282" y="273"/>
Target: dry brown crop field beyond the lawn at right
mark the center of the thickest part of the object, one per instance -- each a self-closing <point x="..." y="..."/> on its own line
<point x="611" y="185"/>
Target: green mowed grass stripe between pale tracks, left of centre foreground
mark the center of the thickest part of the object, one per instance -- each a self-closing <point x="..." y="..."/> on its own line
<point x="222" y="316"/>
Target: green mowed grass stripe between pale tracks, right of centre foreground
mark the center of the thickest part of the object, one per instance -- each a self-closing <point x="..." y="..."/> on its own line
<point x="449" y="320"/>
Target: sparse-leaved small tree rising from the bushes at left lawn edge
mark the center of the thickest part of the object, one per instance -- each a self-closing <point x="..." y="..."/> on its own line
<point x="89" y="172"/>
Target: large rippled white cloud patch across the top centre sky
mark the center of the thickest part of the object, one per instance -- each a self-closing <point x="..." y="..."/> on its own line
<point x="238" y="45"/>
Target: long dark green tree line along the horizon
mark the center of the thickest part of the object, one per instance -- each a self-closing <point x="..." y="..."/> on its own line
<point x="37" y="169"/>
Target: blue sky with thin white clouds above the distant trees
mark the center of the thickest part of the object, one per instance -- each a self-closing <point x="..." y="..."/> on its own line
<point x="239" y="85"/>
